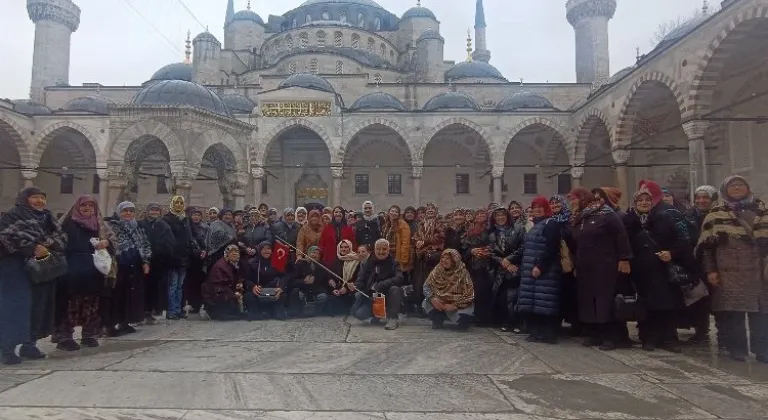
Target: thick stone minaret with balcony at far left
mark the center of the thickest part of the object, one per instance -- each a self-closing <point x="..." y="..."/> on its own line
<point x="55" y="21"/>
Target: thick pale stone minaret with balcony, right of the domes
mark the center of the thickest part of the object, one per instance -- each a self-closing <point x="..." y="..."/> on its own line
<point x="589" y="19"/>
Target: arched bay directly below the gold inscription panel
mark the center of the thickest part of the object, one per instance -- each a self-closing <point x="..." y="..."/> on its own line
<point x="298" y="169"/>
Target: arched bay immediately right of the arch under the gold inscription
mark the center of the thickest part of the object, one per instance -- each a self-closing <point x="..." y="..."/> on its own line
<point x="377" y="167"/>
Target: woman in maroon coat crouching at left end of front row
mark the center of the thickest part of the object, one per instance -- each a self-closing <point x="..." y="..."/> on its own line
<point x="220" y="291"/>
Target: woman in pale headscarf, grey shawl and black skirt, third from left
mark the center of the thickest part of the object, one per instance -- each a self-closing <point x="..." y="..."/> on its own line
<point x="133" y="256"/>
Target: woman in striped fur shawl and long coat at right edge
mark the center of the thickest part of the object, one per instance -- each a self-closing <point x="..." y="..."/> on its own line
<point x="733" y="246"/>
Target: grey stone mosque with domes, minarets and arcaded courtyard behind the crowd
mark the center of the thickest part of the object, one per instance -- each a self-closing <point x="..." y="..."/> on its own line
<point x="341" y="101"/>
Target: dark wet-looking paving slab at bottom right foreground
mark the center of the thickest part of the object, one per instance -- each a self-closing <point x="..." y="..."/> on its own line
<point x="612" y="396"/>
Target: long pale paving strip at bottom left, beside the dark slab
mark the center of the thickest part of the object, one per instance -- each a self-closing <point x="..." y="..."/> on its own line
<point x="194" y="390"/>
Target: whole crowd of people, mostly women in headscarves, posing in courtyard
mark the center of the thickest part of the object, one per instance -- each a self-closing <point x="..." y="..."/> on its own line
<point x="522" y="268"/>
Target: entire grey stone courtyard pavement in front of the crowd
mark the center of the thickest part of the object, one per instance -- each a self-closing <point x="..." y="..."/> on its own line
<point x="333" y="369"/>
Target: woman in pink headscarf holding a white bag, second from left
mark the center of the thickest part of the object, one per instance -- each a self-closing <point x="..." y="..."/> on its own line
<point x="78" y="294"/>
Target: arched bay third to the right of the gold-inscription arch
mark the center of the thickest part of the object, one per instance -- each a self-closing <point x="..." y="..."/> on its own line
<point x="532" y="162"/>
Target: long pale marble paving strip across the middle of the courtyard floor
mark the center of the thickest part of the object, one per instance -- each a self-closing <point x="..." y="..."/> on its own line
<point x="440" y="357"/>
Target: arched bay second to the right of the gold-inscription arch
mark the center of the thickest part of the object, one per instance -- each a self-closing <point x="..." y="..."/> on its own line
<point x="457" y="168"/>
